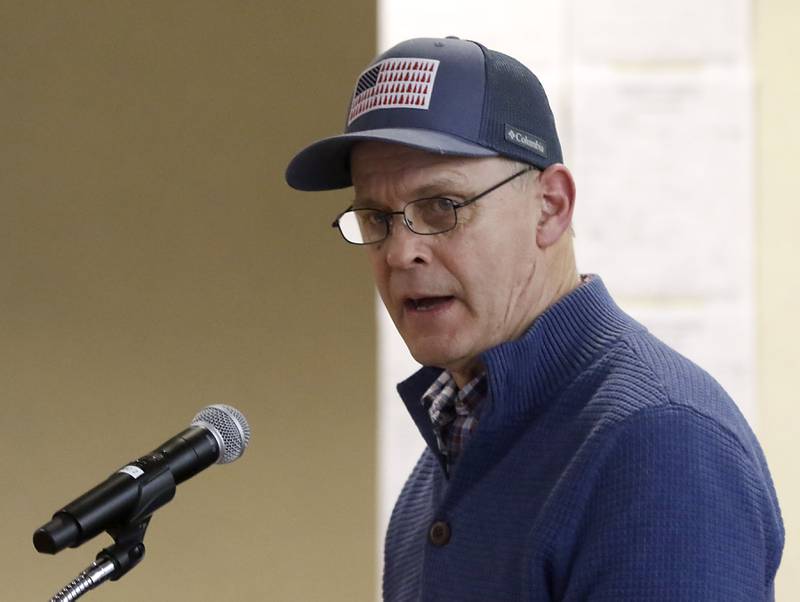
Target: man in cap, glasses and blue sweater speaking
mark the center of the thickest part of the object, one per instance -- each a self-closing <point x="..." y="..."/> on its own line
<point x="570" y="454"/>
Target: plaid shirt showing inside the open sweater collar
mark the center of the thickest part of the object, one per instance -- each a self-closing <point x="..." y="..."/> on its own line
<point x="454" y="413"/>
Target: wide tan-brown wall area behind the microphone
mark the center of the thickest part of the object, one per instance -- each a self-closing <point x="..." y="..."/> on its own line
<point x="153" y="262"/>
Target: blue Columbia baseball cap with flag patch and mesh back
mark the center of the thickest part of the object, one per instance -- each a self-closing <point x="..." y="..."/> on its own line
<point x="446" y="96"/>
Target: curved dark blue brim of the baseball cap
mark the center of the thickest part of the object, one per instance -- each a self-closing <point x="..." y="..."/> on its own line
<point x="325" y="164"/>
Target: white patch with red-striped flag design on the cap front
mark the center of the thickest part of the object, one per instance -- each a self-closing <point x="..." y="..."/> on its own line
<point x="397" y="83"/>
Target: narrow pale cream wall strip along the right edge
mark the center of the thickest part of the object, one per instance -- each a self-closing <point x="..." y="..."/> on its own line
<point x="778" y="101"/>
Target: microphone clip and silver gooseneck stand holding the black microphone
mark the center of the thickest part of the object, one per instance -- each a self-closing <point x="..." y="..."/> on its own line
<point x="128" y="549"/>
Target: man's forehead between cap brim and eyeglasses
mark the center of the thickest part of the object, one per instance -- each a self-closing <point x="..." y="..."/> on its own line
<point x="403" y="170"/>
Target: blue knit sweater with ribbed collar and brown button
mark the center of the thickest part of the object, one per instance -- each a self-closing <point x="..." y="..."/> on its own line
<point x="606" y="466"/>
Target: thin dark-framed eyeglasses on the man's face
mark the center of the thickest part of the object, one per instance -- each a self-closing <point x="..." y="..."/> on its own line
<point x="423" y="216"/>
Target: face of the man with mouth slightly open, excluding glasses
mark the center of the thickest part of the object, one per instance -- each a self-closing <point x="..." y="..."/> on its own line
<point x="456" y="294"/>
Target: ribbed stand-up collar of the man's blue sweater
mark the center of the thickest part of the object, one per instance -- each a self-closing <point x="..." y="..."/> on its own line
<point x="528" y="372"/>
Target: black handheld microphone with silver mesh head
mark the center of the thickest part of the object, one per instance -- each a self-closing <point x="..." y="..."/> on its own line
<point x="218" y="434"/>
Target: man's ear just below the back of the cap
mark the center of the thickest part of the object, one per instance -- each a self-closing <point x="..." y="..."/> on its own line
<point x="558" y="202"/>
